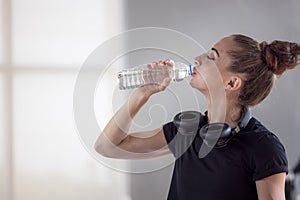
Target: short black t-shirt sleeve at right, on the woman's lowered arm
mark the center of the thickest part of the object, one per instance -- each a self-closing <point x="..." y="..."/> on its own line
<point x="269" y="157"/>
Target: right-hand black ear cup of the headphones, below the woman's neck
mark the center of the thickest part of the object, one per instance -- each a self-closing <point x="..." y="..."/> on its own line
<point x="211" y="133"/>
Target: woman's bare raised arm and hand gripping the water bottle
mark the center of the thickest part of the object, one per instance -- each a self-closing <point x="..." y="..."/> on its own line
<point x="116" y="142"/>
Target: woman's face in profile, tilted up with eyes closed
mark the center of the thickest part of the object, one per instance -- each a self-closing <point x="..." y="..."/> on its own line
<point x="210" y="70"/>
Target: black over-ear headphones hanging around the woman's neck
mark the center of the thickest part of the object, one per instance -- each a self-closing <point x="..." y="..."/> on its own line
<point x="213" y="134"/>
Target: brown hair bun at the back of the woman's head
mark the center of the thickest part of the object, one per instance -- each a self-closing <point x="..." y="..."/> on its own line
<point x="280" y="55"/>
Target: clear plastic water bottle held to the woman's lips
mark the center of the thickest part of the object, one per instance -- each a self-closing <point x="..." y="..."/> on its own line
<point x="143" y="75"/>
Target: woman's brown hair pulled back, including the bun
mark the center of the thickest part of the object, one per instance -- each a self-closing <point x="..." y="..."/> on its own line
<point x="261" y="63"/>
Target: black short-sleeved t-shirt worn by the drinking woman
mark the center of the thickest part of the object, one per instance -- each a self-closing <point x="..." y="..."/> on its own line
<point x="227" y="173"/>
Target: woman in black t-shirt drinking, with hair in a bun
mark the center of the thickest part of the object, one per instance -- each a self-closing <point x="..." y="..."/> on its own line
<point x="253" y="165"/>
